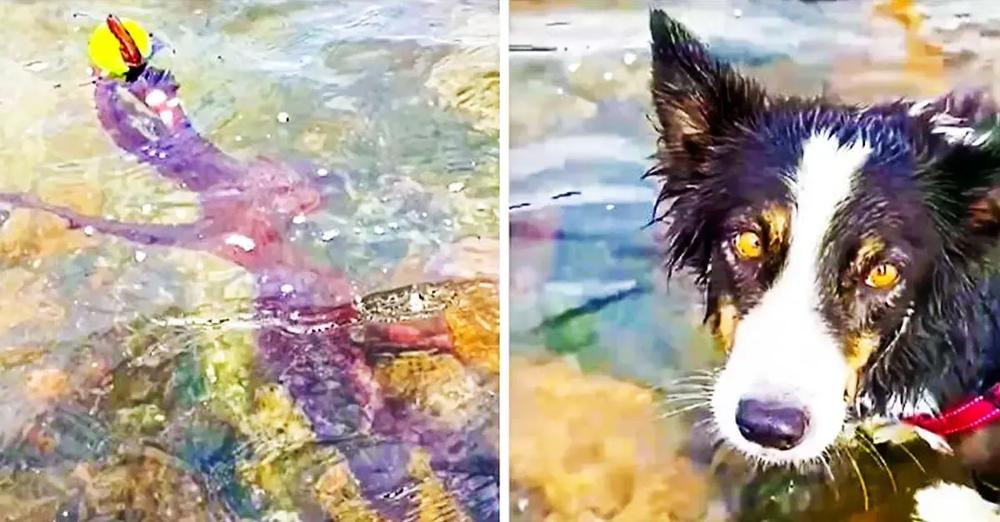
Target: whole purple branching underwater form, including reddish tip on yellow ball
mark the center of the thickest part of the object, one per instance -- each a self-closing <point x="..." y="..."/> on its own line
<point x="316" y="337"/>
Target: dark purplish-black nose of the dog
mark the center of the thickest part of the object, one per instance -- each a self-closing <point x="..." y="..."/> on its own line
<point x="771" y="424"/>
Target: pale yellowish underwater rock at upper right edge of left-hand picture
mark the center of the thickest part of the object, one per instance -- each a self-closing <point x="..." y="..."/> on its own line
<point x="469" y="81"/>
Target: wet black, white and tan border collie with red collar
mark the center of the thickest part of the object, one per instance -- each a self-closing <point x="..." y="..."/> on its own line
<point x="843" y="252"/>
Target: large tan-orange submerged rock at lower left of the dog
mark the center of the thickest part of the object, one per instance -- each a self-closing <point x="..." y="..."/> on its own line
<point x="623" y="471"/>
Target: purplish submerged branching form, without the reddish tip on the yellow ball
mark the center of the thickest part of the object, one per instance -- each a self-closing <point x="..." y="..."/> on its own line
<point x="305" y="309"/>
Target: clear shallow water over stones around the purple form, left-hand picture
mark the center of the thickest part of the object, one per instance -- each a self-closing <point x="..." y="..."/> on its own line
<point x="132" y="376"/>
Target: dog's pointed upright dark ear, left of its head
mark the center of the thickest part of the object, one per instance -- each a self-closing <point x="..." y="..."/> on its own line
<point x="697" y="98"/>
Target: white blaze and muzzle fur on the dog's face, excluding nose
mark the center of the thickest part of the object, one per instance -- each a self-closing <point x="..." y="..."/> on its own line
<point x="783" y="349"/>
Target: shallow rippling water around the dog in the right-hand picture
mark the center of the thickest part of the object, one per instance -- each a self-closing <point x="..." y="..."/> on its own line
<point x="588" y="296"/>
